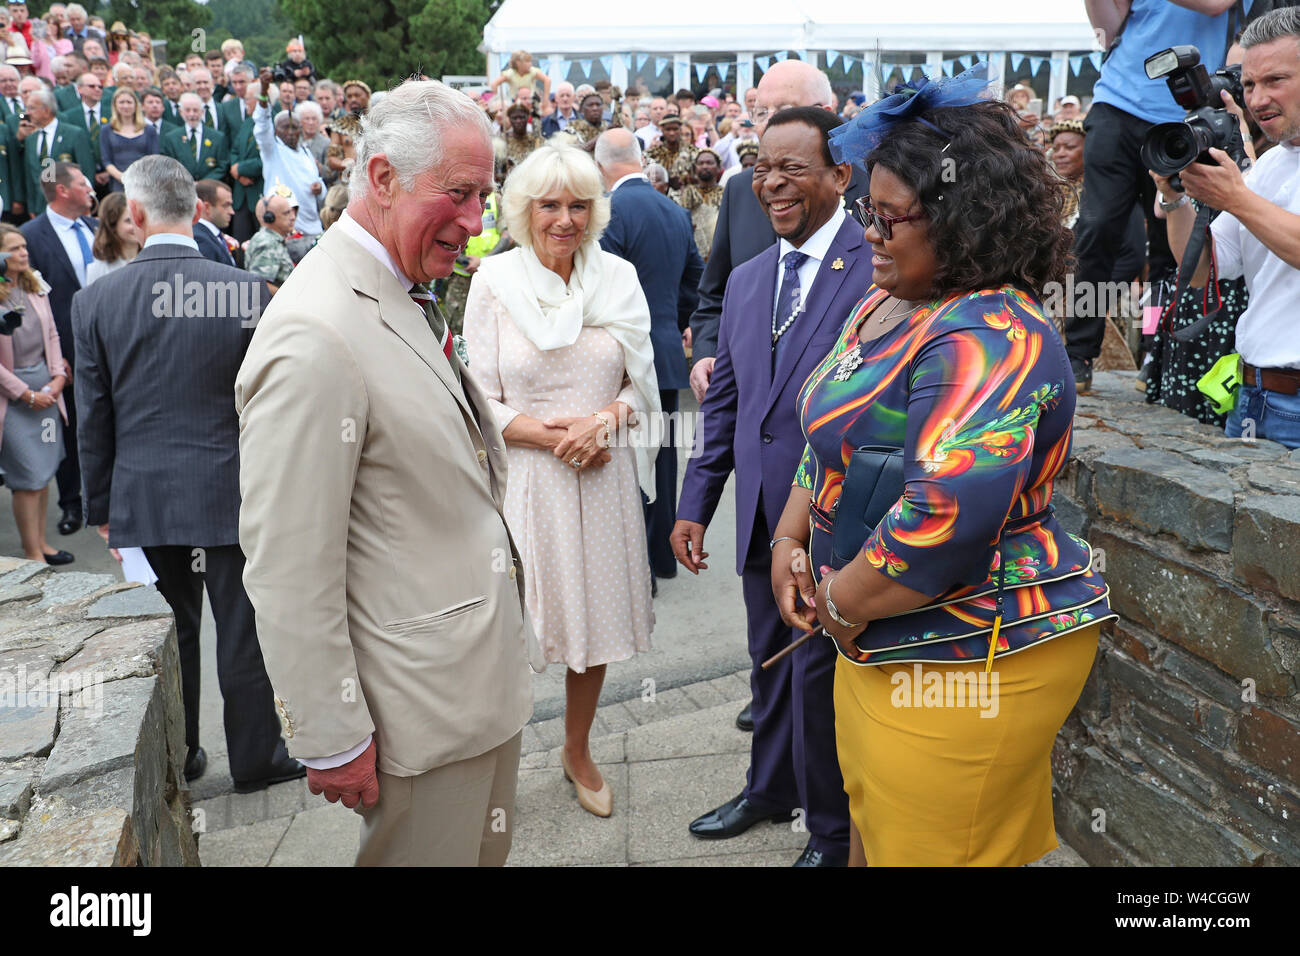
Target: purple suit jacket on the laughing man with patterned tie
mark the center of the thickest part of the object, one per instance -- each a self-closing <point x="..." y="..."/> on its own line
<point x="749" y="422"/>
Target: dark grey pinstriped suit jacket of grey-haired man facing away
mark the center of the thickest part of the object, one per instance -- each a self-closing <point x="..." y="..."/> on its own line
<point x="155" y="383"/>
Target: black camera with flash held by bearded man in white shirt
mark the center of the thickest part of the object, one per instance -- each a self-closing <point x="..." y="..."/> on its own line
<point x="1171" y="148"/>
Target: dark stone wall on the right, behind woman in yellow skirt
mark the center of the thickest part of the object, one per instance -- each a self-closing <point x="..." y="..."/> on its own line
<point x="1185" y="749"/>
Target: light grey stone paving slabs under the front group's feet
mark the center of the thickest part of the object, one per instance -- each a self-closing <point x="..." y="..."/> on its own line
<point x="668" y="762"/>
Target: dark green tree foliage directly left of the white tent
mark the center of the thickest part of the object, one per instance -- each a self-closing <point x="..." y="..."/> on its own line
<point x="391" y="40"/>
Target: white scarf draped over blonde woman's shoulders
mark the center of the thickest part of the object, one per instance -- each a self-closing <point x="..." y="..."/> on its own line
<point x="604" y="292"/>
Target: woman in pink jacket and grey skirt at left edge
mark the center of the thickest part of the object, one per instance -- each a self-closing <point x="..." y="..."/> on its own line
<point x="33" y="375"/>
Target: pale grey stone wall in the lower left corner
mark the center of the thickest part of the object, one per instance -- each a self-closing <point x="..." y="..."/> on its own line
<point x="92" y="724"/>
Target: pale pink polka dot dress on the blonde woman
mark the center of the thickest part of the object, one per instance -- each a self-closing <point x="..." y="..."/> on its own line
<point x="582" y="535"/>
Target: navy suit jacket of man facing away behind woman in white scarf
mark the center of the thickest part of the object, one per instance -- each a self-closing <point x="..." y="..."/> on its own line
<point x="656" y="235"/>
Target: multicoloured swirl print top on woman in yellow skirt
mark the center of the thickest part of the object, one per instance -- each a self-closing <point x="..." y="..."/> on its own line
<point x="977" y="390"/>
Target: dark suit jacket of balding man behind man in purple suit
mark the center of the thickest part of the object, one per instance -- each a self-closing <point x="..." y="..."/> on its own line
<point x="743" y="232"/>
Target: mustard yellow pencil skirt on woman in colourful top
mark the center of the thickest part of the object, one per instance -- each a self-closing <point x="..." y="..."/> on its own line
<point x="944" y="771"/>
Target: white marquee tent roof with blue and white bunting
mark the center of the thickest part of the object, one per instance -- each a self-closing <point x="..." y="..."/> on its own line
<point x="677" y="42"/>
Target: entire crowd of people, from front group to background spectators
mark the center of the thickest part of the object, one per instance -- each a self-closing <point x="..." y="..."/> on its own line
<point x="411" y="291"/>
